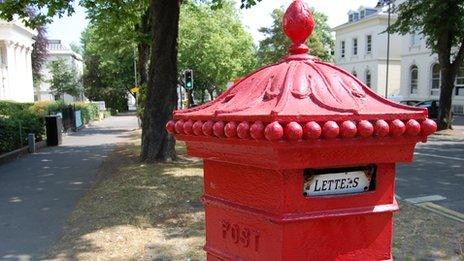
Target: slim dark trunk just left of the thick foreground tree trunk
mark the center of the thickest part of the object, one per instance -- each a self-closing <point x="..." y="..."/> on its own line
<point x="143" y="47"/>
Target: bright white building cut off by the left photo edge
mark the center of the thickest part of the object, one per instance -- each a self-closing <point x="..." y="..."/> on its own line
<point x="16" y="42"/>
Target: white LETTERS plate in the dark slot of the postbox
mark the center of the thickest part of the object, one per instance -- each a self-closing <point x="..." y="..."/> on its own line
<point x="339" y="181"/>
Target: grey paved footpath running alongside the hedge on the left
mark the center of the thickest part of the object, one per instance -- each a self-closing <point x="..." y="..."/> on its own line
<point x="38" y="192"/>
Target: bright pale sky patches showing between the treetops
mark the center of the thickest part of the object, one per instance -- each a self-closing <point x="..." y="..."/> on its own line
<point x="69" y="29"/>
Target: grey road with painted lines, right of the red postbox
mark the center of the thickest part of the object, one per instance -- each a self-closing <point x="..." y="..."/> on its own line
<point x="437" y="173"/>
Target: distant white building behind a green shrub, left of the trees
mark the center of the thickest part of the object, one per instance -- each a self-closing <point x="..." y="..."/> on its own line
<point x="58" y="50"/>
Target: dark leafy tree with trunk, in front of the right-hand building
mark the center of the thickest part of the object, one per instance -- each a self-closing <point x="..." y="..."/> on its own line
<point x="442" y="24"/>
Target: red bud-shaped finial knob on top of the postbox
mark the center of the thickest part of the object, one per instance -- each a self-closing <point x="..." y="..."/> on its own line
<point x="298" y="26"/>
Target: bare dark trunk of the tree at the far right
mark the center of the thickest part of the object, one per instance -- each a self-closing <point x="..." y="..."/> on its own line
<point x="445" y="117"/>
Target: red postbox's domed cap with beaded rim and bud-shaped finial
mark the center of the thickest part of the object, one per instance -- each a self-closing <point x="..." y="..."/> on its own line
<point x="301" y="97"/>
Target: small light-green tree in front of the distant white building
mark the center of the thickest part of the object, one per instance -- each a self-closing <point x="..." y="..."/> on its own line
<point x="64" y="79"/>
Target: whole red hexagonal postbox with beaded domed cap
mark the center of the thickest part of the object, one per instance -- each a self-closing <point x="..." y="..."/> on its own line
<point x="299" y="159"/>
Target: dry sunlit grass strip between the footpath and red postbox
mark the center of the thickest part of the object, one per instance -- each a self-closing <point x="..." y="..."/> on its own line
<point x="138" y="211"/>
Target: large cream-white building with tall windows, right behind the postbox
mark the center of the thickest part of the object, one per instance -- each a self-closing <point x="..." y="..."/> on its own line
<point x="414" y="74"/>
